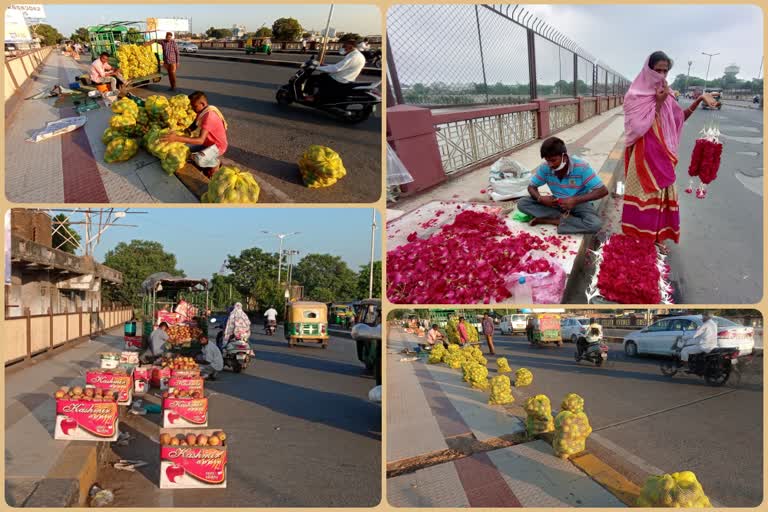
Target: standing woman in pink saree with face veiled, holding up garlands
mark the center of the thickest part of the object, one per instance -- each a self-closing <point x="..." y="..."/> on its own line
<point x="653" y="125"/>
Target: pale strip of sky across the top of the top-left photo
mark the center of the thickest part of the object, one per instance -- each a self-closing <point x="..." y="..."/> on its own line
<point x="362" y="19"/>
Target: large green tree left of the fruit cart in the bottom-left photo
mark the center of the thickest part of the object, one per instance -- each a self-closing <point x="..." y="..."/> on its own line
<point x="137" y="260"/>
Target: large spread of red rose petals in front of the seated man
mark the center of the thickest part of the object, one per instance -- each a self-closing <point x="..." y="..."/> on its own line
<point x="464" y="263"/>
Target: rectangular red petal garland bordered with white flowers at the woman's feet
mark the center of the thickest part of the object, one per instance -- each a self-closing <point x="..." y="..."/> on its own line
<point x="629" y="272"/>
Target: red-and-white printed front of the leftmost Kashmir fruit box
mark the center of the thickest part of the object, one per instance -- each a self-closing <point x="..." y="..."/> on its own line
<point x="81" y="420"/>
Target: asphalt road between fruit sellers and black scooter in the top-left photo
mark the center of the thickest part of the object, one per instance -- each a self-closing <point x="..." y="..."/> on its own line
<point x="270" y="139"/>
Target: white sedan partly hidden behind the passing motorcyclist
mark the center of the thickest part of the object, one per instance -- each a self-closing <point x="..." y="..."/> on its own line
<point x="659" y="337"/>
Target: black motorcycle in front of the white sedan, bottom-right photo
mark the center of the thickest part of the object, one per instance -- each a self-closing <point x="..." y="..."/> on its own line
<point x="714" y="366"/>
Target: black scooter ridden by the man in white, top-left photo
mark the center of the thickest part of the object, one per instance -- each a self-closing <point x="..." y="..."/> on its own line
<point x="356" y="105"/>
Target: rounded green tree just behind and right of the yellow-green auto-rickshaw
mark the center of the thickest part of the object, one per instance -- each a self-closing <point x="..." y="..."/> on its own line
<point x="326" y="278"/>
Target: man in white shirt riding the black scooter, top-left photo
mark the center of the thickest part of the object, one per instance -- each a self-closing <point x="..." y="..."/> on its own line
<point x="331" y="80"/>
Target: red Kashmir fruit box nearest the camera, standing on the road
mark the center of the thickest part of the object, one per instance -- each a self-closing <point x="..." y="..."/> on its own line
<point x="192" y="467"/>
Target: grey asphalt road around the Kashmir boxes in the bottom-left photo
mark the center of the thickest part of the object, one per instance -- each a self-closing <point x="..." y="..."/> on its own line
<point x="303" y="434"/>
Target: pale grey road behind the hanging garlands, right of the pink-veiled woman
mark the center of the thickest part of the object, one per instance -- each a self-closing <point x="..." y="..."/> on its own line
<point x="720" y="256"/>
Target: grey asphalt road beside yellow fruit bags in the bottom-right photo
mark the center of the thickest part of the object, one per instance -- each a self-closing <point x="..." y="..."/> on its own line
<point x="674" y="424"/>
